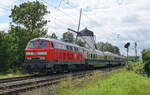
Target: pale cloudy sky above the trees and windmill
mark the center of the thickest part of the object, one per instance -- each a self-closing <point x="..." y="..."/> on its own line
<point x="114" y="21"/>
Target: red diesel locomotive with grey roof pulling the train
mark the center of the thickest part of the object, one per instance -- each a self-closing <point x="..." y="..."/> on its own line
<point x="47" y="55"/>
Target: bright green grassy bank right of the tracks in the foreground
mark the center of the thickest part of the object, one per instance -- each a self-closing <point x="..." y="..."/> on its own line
<point x="121" y="82"/>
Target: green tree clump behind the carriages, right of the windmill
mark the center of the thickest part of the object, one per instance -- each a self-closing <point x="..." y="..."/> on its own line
<point x="108" y="47"/>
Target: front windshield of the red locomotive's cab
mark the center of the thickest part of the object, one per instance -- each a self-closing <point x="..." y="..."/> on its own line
<point x="39" y="44"/>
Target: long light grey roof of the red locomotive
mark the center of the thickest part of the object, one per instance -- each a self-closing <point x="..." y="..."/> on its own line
<point x="58" y="41"/>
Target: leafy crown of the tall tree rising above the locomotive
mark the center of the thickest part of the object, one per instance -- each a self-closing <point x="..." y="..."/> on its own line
<point x="30" y="15"/>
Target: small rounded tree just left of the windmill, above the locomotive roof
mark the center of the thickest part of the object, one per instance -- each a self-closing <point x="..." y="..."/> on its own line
<point x="68" y="37"/>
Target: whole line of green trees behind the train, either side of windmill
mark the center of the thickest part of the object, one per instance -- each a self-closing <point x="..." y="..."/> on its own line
<point x="27" y="22"/>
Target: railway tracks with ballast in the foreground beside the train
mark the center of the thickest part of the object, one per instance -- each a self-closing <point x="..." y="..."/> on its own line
<point x="21" y="84"/>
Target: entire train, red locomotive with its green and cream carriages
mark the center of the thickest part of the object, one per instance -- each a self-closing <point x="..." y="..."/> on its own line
<point x="46" y="55"/>
